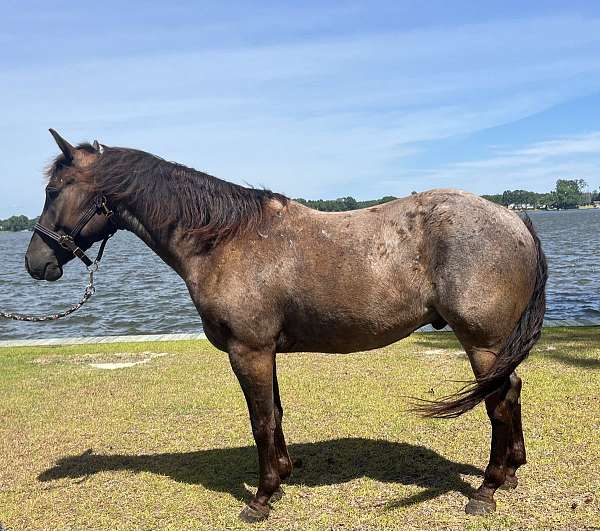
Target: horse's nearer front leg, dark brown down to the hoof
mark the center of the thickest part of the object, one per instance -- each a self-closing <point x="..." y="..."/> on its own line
<point x="254" y="370"/>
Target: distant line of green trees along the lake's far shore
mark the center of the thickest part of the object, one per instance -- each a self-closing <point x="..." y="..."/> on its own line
<point x="569" y="193"/>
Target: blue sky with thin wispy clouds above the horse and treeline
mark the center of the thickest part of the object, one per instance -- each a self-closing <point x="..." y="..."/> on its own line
<point x="312" y="99"/>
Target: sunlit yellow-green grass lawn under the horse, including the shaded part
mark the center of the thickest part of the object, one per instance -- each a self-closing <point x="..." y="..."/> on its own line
<point x="167" y="444"/>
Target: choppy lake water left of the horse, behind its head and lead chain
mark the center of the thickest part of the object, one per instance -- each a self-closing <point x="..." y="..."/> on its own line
<point x="136" y="293"/>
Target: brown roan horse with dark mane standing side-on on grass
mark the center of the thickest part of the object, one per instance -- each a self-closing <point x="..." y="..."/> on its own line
<point x="269" y="275"/>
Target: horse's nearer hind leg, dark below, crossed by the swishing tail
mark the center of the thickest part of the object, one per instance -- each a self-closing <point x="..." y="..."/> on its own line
<point x="500" y="413"/>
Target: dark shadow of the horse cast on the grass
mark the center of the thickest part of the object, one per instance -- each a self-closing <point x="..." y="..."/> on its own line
<point x="323" y="463"/>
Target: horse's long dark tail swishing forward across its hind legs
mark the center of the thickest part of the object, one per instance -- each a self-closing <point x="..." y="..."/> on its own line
<point x="522" y="339"/>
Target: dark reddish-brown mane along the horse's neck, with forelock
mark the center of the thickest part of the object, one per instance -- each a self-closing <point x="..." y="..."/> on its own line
<point x="169" y="193"/>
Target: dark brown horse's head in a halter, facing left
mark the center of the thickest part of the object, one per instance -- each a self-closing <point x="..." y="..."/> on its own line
<point x="69" y="195"/>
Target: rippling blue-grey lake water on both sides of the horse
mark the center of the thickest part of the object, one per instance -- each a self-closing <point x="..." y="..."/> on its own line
<point x="138" y="294"/>
